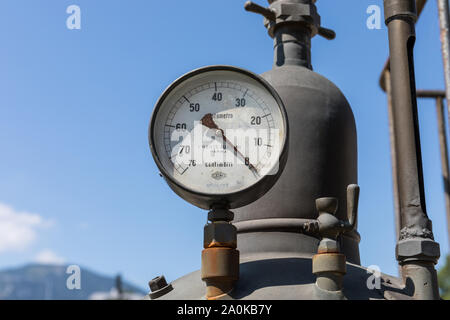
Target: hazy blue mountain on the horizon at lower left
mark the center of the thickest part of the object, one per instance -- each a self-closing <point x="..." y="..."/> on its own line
<point x="49" y="282"/>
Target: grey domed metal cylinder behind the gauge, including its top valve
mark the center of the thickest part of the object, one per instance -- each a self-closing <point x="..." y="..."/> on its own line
<point x="323" y="149"/>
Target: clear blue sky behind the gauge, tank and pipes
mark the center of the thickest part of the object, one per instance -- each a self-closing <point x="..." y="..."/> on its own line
<point x="77" y="180"/>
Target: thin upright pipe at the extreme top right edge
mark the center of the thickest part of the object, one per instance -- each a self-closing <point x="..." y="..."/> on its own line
<point x="443" y="10"/>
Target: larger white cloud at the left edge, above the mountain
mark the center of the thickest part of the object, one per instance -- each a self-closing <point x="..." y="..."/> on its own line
<point x="18" y="230"/>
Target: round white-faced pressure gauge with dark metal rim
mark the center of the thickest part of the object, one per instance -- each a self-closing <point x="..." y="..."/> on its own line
<point x="219" y="136"/>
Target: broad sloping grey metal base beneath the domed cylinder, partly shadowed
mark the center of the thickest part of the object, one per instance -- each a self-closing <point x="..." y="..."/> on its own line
<point x="288" y="276"/>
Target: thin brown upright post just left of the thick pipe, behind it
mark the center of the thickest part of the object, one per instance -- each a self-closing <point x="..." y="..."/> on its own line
<point x="387" y="81"/>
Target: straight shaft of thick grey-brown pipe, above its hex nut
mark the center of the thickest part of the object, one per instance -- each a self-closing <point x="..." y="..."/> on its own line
<point x="407" y="140"/>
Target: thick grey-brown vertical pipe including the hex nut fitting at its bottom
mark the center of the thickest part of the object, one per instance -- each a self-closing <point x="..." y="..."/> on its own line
<point x="416" y="251"/>
